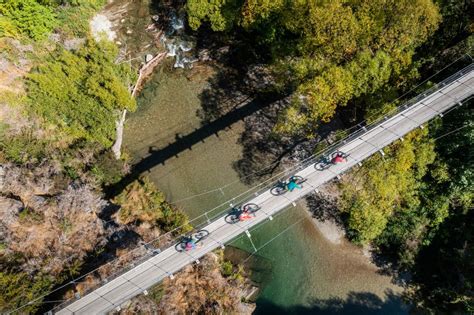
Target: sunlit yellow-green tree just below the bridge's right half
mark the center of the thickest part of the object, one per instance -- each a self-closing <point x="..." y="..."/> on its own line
<point x="386" y="185"/>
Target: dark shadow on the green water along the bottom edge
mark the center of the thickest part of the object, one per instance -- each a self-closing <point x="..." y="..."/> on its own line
<point x="356" y="303"/>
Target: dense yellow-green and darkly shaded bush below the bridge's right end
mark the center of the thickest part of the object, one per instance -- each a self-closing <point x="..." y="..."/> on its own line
<point x="419" y="212"/>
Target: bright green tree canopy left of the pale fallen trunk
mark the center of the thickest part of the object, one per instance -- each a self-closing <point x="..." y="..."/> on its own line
<point x="82" y="92"/>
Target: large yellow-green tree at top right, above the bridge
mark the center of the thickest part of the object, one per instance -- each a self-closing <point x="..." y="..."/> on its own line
<point x="349" y="49"/>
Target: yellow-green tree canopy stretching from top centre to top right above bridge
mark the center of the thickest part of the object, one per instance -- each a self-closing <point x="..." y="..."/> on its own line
<point x="328" y="51"/>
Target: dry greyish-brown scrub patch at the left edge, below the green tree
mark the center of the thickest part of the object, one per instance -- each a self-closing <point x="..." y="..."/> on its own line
<point x="45" y="224"/>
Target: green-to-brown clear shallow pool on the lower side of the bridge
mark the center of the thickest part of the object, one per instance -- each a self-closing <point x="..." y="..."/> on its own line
<point x="311" y="275"/>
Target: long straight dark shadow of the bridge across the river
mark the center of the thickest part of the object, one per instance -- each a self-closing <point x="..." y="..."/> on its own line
<point x="182" y="143"/>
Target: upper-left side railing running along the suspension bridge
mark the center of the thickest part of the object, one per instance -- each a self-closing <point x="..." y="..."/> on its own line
<point x="121" y="265"/>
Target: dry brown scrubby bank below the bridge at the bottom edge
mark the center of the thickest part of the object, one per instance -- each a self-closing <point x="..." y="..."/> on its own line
<point x="198" y="289"/>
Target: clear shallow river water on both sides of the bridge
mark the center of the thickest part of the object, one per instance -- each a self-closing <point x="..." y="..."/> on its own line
<point x="309" y="275"/>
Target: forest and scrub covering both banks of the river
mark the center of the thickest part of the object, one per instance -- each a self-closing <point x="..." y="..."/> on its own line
<point x="345" y="60"/>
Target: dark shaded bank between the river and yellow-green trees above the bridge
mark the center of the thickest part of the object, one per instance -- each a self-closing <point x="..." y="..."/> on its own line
<point x="264" y="152"/>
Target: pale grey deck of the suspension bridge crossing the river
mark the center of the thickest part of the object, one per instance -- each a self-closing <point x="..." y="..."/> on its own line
<point x="369" y="139"/>
